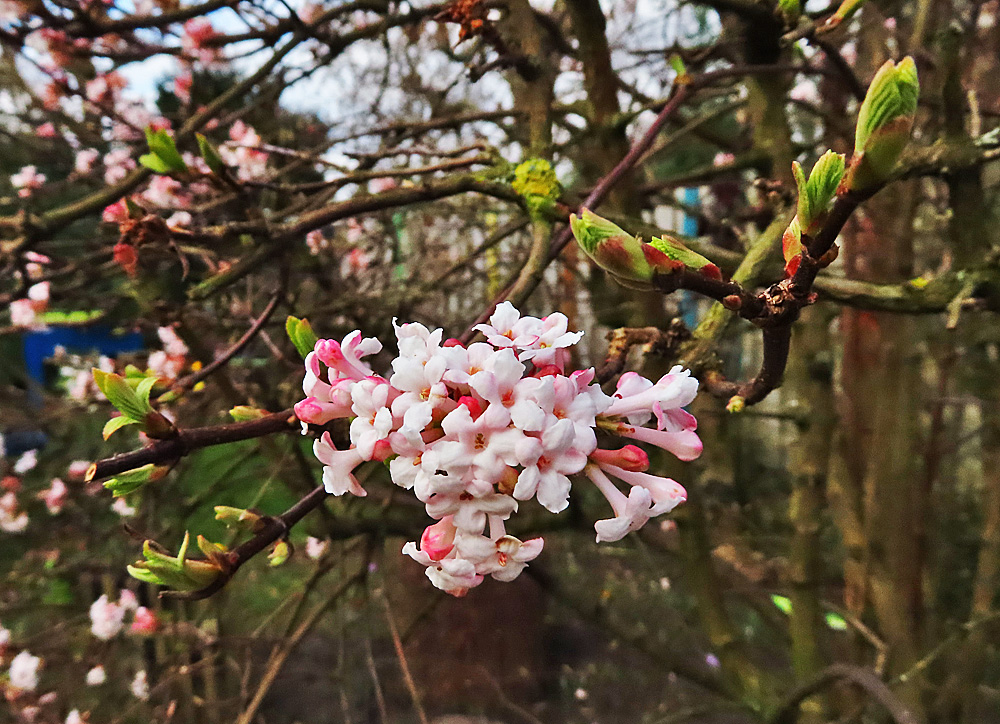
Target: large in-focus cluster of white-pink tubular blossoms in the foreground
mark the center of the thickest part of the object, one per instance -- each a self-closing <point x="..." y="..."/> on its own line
<point x="474" y="430"/>
